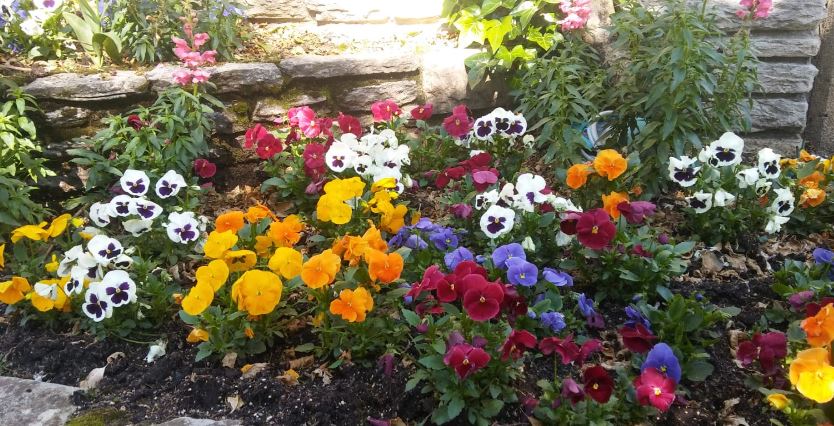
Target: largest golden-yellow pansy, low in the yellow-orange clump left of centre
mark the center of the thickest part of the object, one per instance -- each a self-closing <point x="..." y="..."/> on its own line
<point x="257" y="292"/>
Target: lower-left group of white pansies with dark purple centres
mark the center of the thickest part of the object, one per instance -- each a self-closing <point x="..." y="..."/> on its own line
<point x="100" y="268"/>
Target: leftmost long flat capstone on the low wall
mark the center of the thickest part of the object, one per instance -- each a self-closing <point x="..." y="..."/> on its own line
<point x="88" y="88"/>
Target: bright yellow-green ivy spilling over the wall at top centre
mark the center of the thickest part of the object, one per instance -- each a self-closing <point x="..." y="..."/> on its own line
<point x="515" y="32"/>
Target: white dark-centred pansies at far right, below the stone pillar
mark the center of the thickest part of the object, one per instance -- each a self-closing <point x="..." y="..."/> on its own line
<point x="726" y="152"/>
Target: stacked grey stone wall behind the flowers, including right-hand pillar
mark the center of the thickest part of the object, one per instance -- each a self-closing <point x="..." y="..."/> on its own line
<point x="74" y="103"/>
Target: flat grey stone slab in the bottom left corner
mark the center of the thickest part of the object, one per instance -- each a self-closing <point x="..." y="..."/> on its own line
<point x="33" y="403"/>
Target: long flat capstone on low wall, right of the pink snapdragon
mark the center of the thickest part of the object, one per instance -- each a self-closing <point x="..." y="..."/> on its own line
<point x="317" y="67"/>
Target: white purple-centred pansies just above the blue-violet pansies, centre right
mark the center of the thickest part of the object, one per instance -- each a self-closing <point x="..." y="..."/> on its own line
<point x="523" y="196"/>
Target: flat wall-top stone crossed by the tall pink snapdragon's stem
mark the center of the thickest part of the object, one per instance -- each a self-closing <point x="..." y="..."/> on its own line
<point x="231" y="77"/>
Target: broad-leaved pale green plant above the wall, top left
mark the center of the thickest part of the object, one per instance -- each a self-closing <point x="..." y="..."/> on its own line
<point x="90" y="34"/>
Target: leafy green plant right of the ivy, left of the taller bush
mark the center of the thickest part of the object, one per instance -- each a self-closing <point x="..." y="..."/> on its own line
<point x="559" y="92"/>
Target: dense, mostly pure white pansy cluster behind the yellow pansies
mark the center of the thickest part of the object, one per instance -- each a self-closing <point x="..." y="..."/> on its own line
<point x="374" y="157"/>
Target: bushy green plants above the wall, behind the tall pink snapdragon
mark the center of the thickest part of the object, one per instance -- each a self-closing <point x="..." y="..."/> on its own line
<point x="146" y="26"/>
